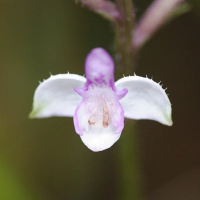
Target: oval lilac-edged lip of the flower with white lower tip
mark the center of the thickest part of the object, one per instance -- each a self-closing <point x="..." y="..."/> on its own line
<point x="99" y="119"/>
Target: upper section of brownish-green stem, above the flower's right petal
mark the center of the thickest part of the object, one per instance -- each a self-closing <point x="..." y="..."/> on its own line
<point x="124" y="54"/>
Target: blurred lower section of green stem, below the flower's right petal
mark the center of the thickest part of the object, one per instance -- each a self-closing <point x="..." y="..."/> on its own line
<point x="130" y="185"/>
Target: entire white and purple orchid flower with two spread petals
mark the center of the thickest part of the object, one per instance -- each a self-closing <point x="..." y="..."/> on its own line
<point x="97" y="104"/>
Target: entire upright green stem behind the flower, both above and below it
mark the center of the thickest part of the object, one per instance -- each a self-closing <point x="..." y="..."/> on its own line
<point x="129" y="172"/>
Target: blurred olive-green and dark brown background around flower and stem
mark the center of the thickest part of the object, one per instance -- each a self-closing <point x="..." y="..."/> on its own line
<point x="45" y="159"/>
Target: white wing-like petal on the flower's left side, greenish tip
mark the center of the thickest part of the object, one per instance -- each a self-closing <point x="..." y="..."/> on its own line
<point x="56" y="96"/>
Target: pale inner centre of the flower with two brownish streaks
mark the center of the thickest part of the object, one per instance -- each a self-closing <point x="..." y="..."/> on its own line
<point x="100" y="114"/>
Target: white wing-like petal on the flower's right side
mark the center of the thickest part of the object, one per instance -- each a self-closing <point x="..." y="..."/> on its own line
<point x="145" y="99"/>
